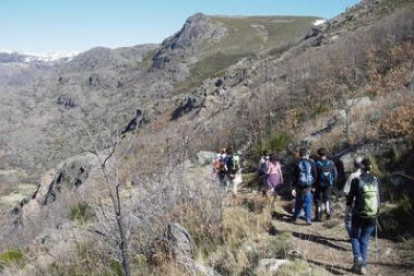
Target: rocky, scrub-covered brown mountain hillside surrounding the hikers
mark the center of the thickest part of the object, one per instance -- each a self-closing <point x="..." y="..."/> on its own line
<point x="275" y="83"/>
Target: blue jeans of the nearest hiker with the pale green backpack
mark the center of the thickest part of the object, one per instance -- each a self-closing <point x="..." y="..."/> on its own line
<point x="361" y="233"/>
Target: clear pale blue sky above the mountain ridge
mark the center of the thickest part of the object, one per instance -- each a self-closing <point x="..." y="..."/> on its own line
<point x="77" y="25"/>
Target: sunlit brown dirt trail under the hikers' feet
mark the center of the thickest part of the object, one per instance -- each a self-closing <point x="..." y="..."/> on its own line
<point x="326" y="244"/>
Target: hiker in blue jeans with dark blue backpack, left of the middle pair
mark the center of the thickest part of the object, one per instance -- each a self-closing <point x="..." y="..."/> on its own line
<point x="303" y="184"/>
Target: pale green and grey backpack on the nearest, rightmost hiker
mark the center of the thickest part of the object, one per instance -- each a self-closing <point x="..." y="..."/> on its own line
<point x="367" y="198"/>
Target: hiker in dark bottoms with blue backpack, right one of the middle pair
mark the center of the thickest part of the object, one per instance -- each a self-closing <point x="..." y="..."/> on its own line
<point x="326" y="178"/>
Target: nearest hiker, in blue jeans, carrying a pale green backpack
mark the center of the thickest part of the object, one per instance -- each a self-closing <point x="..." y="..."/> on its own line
<point x="364" y="196"/>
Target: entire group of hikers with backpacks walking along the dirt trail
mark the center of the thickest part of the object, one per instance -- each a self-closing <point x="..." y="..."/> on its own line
<point x="312" y="184"/>
